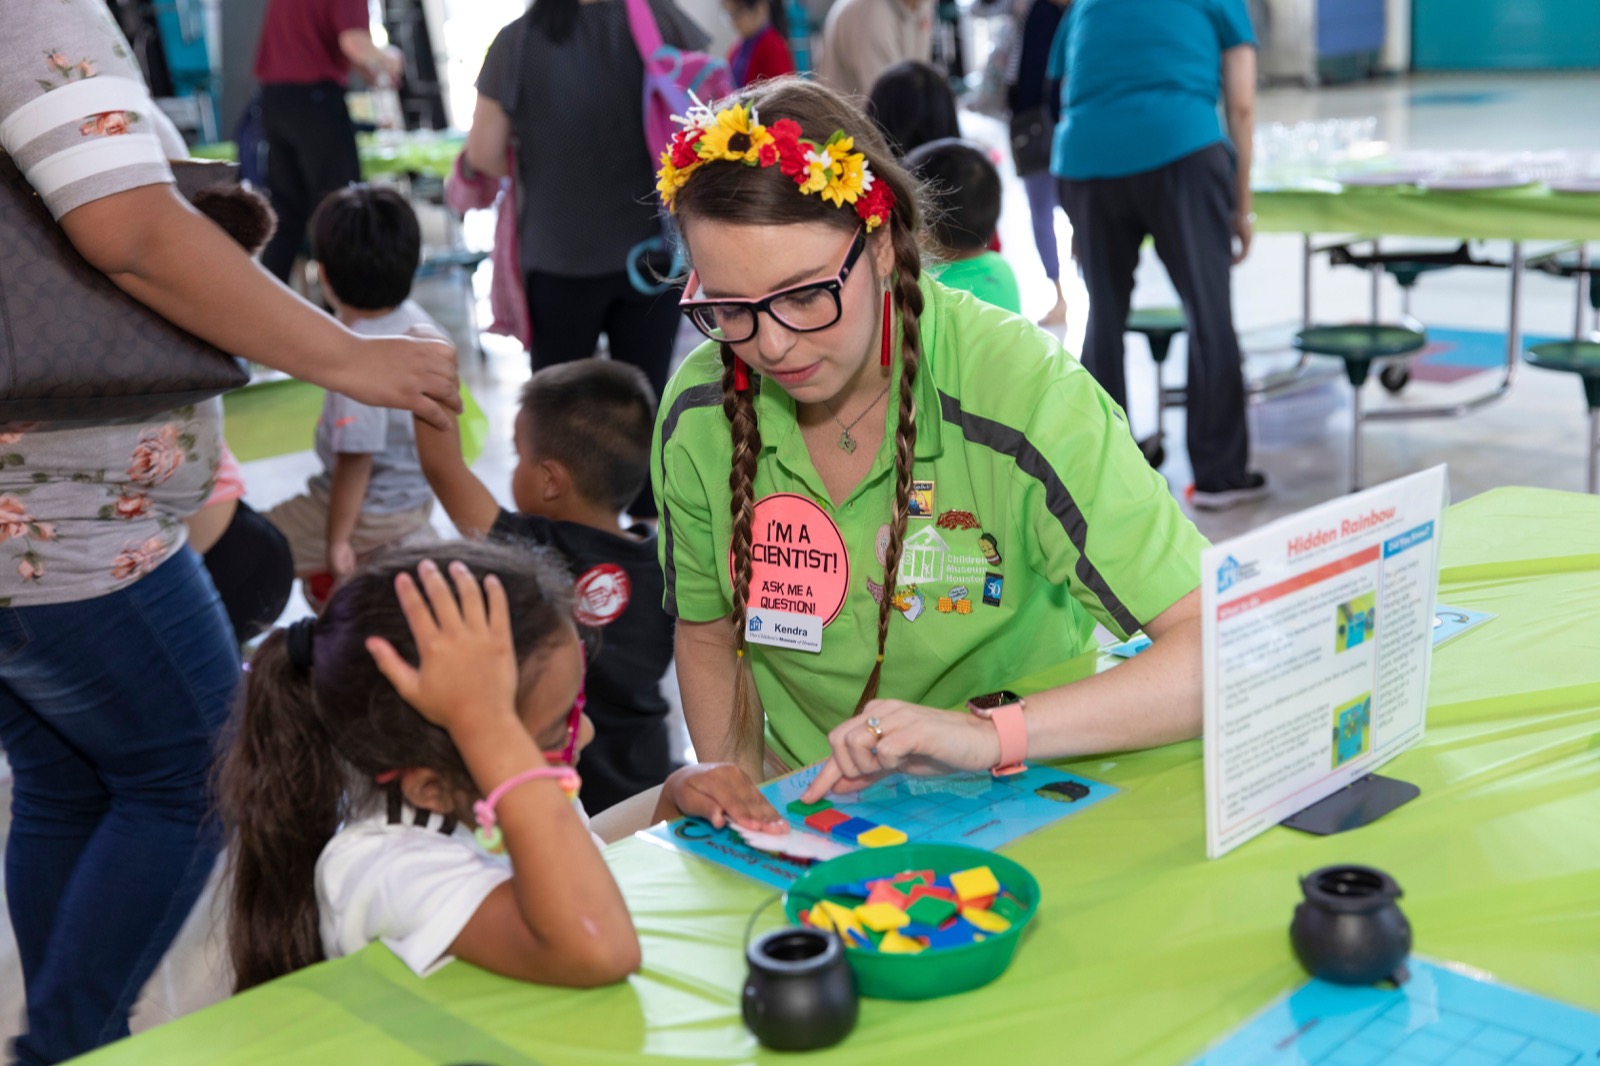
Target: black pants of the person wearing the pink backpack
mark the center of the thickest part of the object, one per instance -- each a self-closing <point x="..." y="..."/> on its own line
<point x="569" y="315"/>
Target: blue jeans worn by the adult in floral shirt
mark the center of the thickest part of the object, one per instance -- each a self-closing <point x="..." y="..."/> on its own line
<point x="110" y="710"/>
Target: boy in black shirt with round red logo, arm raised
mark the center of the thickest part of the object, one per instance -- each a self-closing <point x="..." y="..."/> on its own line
<point x="583" y="455"/>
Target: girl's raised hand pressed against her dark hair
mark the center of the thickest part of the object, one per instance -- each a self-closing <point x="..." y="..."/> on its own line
<point x="468" y="665"/>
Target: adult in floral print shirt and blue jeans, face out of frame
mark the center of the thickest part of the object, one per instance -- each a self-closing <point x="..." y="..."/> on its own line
<point x="116" y="660"/>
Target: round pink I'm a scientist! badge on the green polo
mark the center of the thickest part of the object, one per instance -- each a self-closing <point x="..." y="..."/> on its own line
<point x="798" y="559"/>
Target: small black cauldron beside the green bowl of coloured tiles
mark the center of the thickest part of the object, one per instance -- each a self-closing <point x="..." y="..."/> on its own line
<point x="801" y="993"/>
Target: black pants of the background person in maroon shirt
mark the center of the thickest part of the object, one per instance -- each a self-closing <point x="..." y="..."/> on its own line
<point x="311" y="153"/>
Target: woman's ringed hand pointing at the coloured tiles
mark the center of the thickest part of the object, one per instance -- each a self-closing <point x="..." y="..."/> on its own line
<point x="910" y="740"/>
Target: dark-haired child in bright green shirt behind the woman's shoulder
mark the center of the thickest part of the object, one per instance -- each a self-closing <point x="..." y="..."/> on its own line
<point x="964" y="188"/>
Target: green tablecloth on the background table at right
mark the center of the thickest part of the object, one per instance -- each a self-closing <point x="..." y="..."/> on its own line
<point x="1530" y="214"/>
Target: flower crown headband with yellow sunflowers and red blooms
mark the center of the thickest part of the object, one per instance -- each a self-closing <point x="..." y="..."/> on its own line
<point x="737" y="135"/>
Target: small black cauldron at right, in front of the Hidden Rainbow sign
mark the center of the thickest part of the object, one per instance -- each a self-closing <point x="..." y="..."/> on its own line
<point x="1350" y="929"/>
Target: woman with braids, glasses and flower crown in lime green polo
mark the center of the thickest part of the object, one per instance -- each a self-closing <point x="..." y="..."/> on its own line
<point x="873" y="486"/>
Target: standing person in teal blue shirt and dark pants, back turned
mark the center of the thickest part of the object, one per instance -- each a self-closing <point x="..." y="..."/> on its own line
<point x="1142" y="153"/>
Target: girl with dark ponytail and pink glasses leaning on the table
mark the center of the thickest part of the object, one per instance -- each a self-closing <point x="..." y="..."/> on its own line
<point x="402" y="771"/>
